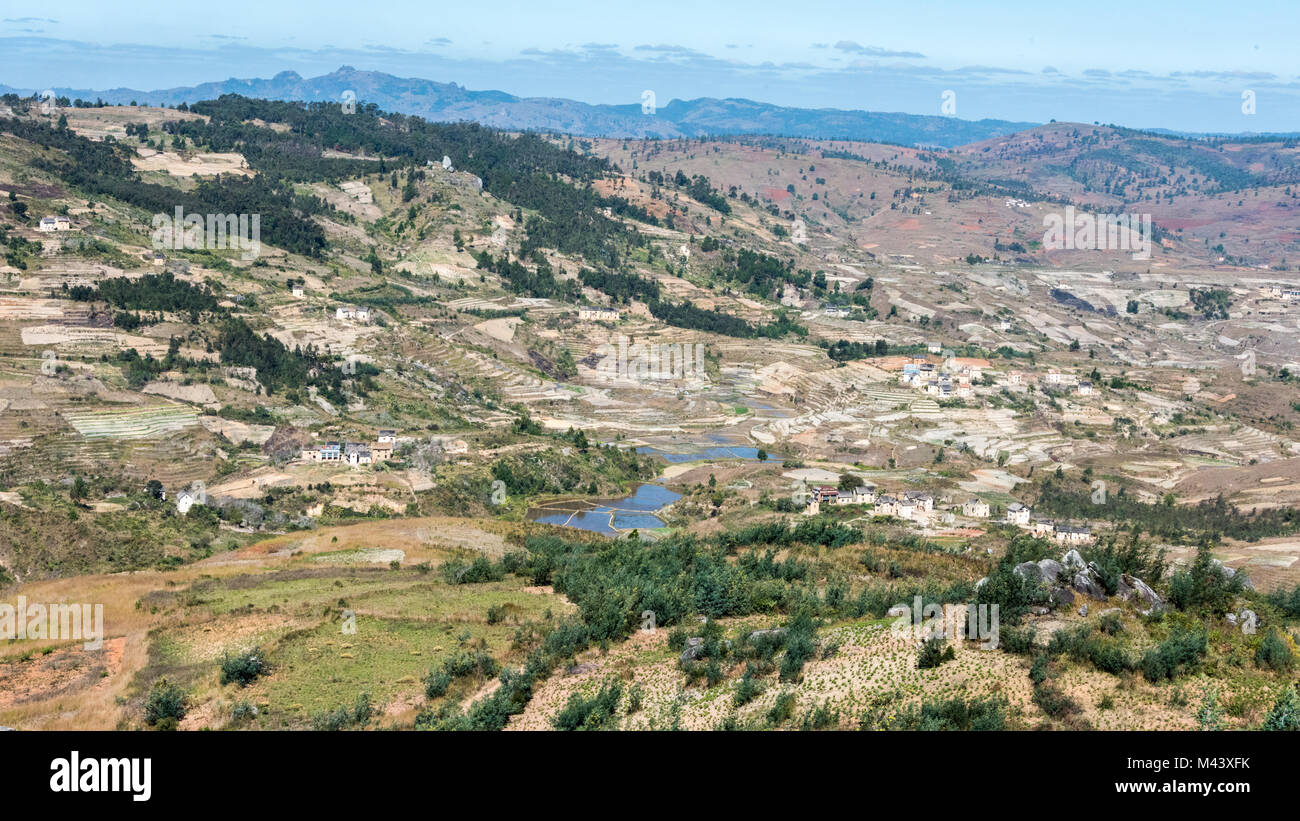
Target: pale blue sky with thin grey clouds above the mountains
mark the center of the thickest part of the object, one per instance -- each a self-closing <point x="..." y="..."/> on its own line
<point x="1189" y="66"/>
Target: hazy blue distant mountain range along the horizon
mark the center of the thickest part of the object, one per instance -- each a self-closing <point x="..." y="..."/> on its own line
<point x="700" y="118"/>
